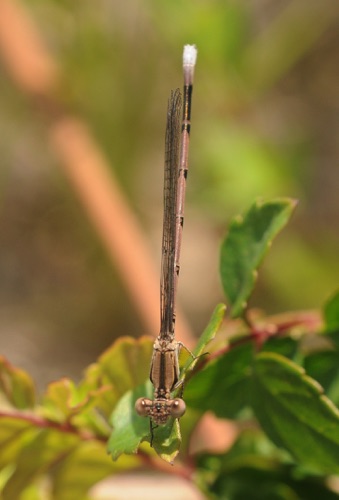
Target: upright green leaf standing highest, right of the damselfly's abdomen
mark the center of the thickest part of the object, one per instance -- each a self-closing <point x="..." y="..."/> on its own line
<point x="243" y="249"/>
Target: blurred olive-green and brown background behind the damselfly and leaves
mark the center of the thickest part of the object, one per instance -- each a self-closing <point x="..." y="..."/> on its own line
<point x="265" y="124"/>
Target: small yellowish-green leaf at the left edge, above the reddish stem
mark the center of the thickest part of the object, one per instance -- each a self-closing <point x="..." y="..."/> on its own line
<point x="16" y="386"/>
